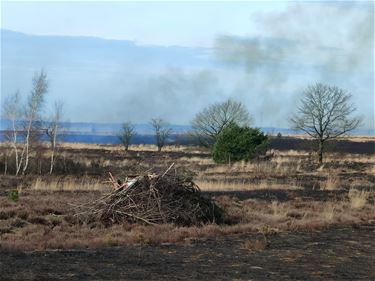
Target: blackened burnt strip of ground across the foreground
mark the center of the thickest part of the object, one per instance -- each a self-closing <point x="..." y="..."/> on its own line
<point x="333" y="254"/>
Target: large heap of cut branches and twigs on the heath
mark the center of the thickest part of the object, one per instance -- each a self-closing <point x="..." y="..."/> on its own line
<point x="152" y="199"/>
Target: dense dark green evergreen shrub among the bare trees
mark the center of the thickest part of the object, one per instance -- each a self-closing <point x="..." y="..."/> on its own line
<point x="237" y="143"/>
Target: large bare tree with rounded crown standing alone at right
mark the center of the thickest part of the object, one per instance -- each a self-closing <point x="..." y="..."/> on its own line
<point x="325" y="113"/>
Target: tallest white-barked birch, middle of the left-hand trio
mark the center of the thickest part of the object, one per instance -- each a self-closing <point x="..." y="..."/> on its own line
<point x="32" y="116"/>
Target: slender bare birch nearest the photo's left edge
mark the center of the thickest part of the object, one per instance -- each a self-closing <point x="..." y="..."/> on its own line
<point x="11" y="111"/>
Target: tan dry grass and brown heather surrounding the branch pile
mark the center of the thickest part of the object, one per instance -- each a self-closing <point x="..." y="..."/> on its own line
<point x="41" y="219"/>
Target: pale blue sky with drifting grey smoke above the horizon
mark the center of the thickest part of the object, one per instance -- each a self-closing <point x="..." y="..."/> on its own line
<point x="262" y="53"/>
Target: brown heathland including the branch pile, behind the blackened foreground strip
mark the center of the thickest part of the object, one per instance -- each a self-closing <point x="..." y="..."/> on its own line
<point x="286" y="193"/>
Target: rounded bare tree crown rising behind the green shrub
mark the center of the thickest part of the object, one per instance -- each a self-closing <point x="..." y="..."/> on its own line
<point x="208" y="123"/>
